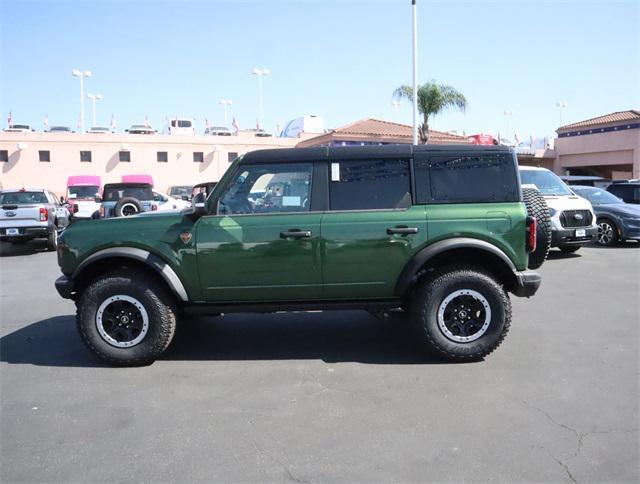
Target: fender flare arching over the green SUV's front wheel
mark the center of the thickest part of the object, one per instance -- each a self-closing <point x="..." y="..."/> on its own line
<point x="141" y="255"/>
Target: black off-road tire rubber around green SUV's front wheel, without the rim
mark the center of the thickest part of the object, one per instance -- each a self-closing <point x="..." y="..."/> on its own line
<point x="158" y="302"/>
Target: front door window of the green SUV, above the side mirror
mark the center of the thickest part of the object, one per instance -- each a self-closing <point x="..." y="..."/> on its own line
<point x="268" y="189"/>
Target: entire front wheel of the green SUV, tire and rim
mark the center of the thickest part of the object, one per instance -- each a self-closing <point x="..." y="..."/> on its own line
<point x="126" y="318"/>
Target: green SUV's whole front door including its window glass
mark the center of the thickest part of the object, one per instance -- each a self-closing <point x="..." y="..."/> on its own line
<point x="264" y="243"/>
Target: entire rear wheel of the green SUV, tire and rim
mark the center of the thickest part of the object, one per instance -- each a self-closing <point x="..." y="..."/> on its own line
<point x="461" y="314"/>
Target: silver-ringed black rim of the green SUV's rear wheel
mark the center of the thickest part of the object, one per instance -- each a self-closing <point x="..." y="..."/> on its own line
<point x="472" y="315"/>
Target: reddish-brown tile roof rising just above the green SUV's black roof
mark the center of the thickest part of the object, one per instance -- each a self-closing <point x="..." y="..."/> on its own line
<point x="371" y="129"/>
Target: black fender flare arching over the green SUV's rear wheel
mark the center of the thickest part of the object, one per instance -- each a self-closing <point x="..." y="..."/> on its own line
<point x="419" y="259"/>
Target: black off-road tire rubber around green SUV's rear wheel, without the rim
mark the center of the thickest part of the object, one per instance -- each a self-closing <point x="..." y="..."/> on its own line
<point x="431" y="293"/>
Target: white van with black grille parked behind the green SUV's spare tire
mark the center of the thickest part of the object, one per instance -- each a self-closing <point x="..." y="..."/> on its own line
<point x="573" y="222"/>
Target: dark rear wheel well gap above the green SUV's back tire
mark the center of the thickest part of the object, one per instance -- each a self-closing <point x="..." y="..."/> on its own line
<point x="469" y="256"/>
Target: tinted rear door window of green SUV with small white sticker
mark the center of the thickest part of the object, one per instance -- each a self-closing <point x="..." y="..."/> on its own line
<point x="369" y="184"/>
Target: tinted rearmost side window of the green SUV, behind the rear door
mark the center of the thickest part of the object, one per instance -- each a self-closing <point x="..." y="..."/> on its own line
<point x="463" y="178"/>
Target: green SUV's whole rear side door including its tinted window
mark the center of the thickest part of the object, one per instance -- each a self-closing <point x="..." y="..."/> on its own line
<point x="371" y="229"/>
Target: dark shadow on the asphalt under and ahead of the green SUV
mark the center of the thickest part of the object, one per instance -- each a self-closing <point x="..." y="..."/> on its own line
<point x="345" y="336"/>
